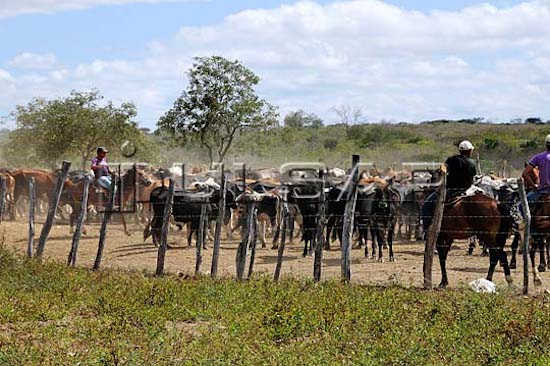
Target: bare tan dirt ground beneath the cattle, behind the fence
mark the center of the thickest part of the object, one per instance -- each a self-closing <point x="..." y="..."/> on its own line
<point x="131" y="252"/>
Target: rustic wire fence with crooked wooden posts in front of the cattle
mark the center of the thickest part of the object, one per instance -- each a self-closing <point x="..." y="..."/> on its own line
<point x="344" y="222"/>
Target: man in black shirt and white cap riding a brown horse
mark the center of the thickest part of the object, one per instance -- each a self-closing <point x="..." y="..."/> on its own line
<point x="461" y="170"/>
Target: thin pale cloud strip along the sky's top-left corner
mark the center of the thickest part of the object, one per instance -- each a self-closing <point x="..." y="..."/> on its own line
<point x="10" y="8"/>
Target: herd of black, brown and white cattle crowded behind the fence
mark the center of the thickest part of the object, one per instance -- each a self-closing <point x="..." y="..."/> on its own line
<point x="387" y="203"/>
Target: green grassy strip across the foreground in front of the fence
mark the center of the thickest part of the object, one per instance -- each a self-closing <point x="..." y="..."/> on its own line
<point x="52" y="315"/>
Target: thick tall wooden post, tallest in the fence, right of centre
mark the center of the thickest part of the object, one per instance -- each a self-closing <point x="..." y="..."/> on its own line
<point x="347" y="229"/>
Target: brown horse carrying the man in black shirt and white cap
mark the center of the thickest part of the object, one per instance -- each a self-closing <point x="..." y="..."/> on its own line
<point x="477" y="215"/>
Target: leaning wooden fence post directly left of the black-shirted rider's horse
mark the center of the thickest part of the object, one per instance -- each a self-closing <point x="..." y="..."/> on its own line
<point x="433" y="233"/>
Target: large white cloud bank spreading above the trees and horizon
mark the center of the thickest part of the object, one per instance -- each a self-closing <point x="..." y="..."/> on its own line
<point x="394" y="63"/>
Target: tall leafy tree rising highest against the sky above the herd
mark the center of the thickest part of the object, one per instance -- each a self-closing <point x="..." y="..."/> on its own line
<point x="219" y="104"/>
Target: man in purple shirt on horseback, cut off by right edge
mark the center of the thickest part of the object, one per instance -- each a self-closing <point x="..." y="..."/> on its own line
<point x="541" y="186"/>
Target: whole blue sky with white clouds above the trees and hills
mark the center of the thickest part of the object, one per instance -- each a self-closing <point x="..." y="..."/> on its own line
<point x="417" y="59"/>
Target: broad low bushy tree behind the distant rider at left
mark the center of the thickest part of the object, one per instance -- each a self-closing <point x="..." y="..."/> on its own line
<point x="50" y="130"/>
